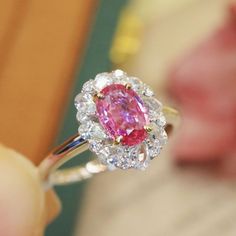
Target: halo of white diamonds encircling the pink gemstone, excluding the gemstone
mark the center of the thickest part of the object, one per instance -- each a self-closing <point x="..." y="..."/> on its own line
<point x="110" y="154"/>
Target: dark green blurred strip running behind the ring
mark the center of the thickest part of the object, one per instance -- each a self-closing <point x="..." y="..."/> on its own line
<point x="96" y="60"/>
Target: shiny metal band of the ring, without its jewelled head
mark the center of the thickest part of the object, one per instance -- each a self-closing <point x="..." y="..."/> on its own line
<point x="74" y="146"/>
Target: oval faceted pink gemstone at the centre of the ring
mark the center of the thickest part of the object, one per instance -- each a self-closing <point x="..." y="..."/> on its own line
<point x="122" y="113"/>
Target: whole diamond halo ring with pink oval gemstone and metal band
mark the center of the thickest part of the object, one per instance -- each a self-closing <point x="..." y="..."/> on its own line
<point x="120" y="121"/>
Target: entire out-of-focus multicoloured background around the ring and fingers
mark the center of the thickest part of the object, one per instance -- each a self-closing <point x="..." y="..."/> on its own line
<point x="185" y="49"/>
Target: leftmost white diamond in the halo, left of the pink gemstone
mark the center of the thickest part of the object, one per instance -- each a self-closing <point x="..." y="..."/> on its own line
<point x="85" y="106"/>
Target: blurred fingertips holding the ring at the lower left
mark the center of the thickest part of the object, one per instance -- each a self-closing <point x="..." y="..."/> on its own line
<point x="25" y="207"/>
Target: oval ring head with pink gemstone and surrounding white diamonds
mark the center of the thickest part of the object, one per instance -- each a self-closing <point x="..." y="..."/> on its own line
<point x="121" y="120"/>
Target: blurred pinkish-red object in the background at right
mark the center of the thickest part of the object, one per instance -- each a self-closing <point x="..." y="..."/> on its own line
<point x="203" y="84"/>
